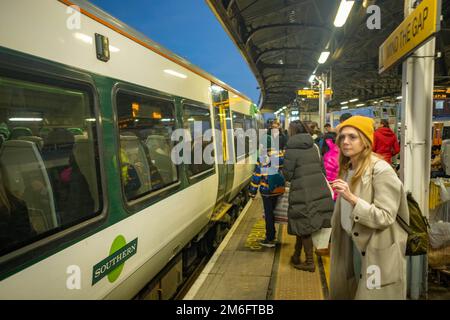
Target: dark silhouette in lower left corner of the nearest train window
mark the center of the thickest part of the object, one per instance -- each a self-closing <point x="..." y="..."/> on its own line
<point x="15" y="226"/>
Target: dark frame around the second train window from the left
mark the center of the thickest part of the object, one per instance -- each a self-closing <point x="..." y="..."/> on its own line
<point x="135" y="205"/>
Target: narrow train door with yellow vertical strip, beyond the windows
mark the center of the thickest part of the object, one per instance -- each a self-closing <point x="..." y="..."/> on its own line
<point x="224" y="145"/>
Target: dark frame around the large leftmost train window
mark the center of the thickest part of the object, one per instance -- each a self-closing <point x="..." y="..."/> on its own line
<point x="27" y="68"/>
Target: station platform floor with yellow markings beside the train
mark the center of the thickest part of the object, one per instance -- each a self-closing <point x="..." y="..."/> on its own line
<point x="242" y="269"/>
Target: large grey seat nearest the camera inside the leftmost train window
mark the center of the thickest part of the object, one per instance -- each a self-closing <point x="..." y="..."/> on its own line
<point x="27" y="179"/>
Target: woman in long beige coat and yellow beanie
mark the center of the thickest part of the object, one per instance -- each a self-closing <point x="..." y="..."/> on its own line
<point x="367" y="244"/>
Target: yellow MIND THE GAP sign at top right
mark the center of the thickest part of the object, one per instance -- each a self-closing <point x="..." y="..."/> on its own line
<point x="417" y="28"/>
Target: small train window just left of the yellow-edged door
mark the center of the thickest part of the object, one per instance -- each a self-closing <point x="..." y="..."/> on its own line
<point x="195" y="119"/>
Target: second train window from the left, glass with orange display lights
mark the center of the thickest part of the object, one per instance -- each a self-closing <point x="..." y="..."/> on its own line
<point x="145" y="127"/>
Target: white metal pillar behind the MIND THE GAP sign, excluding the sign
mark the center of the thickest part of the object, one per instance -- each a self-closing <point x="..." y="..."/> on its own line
<point x="417" y="111"/>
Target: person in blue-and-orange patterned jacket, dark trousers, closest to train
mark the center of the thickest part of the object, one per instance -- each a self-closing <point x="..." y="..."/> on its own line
<point x="269" y="162"/>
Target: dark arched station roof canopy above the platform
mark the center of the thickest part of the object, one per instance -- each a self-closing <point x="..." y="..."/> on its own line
<point x="283" y="39"/>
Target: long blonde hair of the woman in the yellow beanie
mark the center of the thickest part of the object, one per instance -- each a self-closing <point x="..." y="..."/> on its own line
<point x="364" y="160"/>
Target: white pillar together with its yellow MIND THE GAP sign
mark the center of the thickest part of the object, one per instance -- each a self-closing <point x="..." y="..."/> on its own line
<point x="413" y="43"/>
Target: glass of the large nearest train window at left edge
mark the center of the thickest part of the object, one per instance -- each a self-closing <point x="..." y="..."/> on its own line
<point x="49" y="174"/>
